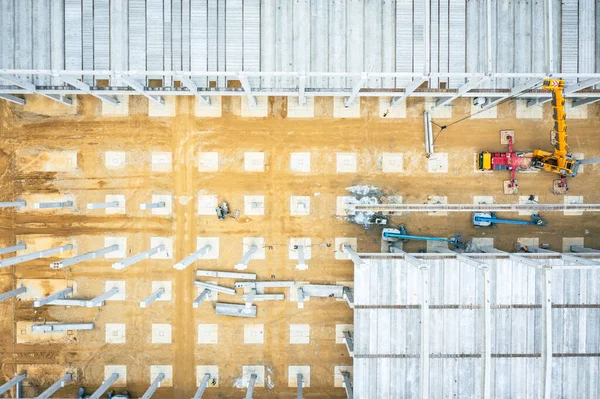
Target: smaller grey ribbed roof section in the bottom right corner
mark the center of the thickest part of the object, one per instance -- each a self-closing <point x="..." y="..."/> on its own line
<point x="476" y="325"/>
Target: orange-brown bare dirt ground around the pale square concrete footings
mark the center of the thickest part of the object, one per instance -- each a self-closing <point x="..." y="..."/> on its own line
<point x="24" y="131"/>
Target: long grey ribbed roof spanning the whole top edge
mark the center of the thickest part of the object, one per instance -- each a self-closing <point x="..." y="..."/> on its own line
<point x="442" y="49"/>
